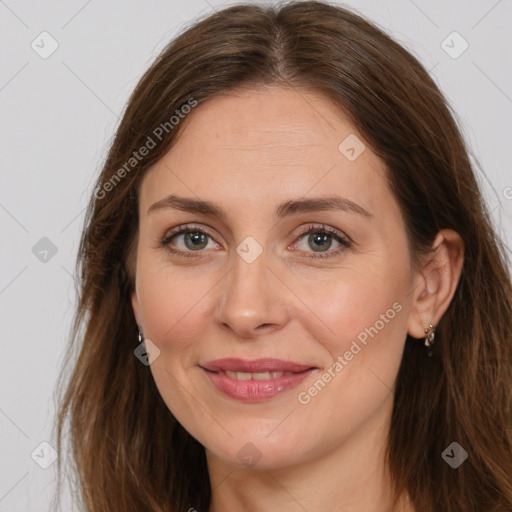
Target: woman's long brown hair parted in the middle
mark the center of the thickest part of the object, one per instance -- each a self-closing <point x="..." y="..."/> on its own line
<point x="128" y="451"/>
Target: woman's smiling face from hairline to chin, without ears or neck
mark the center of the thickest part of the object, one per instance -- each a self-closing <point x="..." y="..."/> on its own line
<point x="278" y="274"/>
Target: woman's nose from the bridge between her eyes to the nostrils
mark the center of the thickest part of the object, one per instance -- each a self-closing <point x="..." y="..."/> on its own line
<point x="250" y="297"/>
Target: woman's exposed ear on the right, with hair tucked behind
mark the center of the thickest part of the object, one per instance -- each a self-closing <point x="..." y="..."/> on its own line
<point x="435" y="282"/>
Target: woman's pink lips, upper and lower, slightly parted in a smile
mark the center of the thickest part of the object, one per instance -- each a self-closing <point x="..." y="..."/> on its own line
<point x="255" y="390"/>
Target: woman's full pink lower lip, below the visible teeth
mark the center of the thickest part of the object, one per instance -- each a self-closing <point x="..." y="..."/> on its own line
<point x="255" y="390"/>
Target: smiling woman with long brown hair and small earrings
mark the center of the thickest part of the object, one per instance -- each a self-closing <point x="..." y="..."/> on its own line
<point x="289" y="219"/>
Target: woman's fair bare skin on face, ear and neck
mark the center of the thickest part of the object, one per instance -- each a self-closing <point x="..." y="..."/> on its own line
<point x="249" y="152"/>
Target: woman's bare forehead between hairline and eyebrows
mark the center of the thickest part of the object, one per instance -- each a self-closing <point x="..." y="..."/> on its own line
<point x="255" y="144"/>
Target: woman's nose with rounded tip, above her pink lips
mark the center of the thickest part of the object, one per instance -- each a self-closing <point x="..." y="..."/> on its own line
<point x="252" y="301"/>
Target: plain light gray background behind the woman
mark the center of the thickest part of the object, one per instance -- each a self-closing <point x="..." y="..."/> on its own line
<point x="57" y="118"/>
